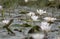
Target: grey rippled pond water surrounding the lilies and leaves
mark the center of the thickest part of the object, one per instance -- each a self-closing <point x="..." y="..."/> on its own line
<point x="16" y="15"/>
